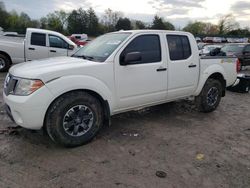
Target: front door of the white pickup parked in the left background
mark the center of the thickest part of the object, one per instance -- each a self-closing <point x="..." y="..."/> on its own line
<point x="57" y="46"/>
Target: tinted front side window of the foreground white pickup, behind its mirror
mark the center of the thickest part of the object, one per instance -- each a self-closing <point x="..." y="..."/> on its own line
<point x="148" y="46"/>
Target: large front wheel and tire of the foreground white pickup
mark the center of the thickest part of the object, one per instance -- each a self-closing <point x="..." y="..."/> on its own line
<point x="65" y="122"/>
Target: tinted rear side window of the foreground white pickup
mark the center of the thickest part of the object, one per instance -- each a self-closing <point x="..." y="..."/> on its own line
<point x="179" y="47"/>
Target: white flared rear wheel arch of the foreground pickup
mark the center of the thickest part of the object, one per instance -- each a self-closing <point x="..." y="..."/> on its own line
<point x="205" y="74"/>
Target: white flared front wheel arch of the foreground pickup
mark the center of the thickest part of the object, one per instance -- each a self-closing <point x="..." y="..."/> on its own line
<point x="80" y="82"/>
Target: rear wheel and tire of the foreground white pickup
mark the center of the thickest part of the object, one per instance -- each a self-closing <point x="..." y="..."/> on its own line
<point x="210" y="96"/>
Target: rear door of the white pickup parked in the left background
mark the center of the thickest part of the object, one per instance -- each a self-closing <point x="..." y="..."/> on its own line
<point x="35" y="47"/>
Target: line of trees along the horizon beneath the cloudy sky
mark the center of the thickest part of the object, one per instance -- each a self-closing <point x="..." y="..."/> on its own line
<point x="87" y="21"/>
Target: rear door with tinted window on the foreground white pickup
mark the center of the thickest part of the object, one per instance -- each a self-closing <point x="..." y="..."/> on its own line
<point x="183" y="74"/>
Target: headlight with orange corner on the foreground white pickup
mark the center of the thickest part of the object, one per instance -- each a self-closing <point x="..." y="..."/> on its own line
<point x="25" y="87"/>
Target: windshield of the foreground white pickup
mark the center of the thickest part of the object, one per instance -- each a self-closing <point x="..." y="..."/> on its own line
<point x="102" y="47"/>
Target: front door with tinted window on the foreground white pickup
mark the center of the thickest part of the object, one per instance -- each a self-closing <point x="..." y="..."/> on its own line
<point x="143" y="81"/>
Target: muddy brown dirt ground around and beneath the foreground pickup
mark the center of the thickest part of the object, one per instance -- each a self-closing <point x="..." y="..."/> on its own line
<point x="193" y="149"/>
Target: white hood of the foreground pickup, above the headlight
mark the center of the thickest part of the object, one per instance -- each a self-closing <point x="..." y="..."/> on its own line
<point x="51" y="68"/>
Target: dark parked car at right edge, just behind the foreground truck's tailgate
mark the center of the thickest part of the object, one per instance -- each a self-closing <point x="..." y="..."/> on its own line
<point x="242" y="51"/>
